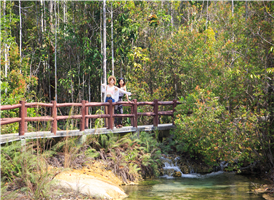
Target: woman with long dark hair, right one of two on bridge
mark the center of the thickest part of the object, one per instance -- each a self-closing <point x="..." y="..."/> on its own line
<point x="122" y="86"/>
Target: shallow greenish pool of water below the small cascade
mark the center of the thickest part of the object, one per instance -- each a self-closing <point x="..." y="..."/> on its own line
<point x="217" y="185"/>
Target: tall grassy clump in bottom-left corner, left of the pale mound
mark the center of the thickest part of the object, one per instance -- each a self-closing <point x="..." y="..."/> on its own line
<point x="27" y="170"/>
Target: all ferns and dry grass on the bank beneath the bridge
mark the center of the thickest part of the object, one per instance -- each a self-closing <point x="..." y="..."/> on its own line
<point x="28" y="171"/>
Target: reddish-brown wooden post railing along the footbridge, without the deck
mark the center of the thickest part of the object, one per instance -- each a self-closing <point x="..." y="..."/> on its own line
<point x="84" y="116"/>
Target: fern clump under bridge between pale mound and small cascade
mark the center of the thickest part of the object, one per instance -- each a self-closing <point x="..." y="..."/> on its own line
<point x="130" y="155"/>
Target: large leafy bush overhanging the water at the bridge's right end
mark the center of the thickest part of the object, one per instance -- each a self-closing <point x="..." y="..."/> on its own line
<point x="215" y="134"/>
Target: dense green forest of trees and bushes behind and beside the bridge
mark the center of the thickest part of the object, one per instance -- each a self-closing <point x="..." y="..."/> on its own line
<point x="215" y="56"/>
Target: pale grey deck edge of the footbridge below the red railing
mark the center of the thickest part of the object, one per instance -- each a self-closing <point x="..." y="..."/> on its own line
<point x="47" y="134"/>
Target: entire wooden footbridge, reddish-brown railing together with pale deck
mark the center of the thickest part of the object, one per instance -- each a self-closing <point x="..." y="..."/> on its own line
<point x="84" y="116"/>
